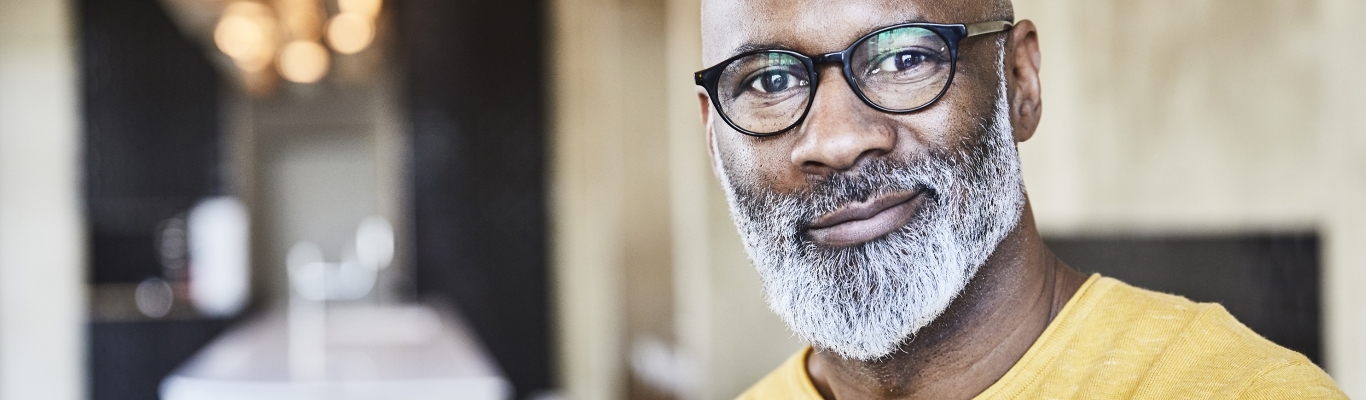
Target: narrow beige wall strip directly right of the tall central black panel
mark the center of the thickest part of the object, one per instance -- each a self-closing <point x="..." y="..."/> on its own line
<point x="587" y="197"/>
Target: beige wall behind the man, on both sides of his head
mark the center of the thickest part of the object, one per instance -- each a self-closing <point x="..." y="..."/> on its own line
<point x="1162" y="117"/>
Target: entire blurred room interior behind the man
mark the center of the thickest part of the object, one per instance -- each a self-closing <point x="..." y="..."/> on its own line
<point x="512" y="200"/>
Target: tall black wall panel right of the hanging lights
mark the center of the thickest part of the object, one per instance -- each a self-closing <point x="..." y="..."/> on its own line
<point x="477" y="99"/>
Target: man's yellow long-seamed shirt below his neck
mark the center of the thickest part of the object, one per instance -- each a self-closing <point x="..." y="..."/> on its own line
<point x="1118" y="342"/>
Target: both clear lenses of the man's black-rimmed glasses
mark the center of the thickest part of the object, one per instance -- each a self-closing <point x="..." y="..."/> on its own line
<point x="901" y="70"/>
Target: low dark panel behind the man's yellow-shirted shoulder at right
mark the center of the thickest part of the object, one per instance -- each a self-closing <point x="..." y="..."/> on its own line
<point x="1268" y="282"/>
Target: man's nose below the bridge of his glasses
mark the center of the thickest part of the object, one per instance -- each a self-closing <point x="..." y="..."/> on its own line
<point x="841" y="130"/>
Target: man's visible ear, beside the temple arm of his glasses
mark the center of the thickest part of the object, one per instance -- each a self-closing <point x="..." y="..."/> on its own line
<point x="1022" y="66"/>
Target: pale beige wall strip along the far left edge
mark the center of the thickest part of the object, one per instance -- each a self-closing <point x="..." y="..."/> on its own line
<point x="42" y="240"/>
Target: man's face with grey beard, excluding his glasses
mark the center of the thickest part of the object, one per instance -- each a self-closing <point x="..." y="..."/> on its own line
<point x="865" y="225"/>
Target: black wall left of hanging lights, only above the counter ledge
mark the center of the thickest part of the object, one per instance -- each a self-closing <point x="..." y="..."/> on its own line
<point x="151" y="132"/>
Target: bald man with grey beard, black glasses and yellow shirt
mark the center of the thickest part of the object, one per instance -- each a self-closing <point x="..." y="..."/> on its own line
<point x="868" y="149"/>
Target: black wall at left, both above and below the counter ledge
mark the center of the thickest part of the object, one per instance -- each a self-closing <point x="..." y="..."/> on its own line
<point x="151" y="103"/>
